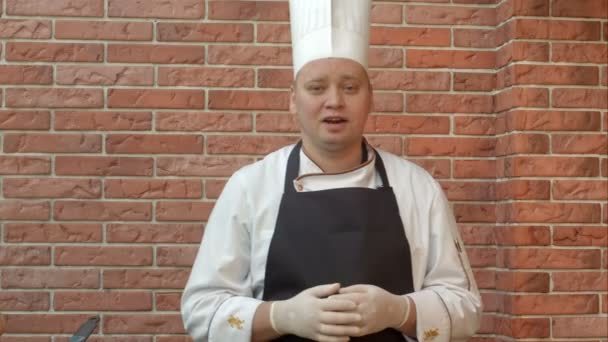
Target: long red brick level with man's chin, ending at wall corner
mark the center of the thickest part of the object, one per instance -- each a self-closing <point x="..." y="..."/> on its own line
<point x="465" y="147"/>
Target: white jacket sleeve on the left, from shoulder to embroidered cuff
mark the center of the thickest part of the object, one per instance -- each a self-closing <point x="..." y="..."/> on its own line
<point x="217" y="303"/>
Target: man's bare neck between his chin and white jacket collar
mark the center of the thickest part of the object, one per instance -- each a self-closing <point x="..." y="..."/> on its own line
<point x="334" y="161"/>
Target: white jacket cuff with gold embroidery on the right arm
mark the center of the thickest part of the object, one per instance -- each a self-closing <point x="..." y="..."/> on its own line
<point x="433" y="322"/>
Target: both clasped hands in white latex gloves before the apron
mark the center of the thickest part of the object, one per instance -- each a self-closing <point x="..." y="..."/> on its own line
<point x="330" y="313"/>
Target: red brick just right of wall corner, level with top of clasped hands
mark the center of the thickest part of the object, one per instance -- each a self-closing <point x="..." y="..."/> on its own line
<point x="522" y="281"/>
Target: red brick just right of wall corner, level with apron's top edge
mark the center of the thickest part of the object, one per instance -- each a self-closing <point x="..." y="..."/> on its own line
<point x="516" y="189"/>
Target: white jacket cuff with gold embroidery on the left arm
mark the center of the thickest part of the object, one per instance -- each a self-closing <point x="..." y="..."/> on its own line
<point x="233" y="321"/>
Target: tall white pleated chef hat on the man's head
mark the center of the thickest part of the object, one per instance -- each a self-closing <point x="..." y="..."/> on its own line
<point x="329" y="28"/>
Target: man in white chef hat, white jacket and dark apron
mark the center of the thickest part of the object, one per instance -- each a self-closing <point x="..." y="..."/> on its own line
<point x="331" y="240"/>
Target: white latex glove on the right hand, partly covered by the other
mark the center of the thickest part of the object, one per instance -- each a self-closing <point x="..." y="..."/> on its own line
<point x="379" y="309"/>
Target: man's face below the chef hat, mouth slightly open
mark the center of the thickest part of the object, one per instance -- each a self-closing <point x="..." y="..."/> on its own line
<point x="331" y="98"/>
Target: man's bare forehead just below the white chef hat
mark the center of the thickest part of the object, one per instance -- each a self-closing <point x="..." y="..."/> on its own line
<point x="331" y="68"/>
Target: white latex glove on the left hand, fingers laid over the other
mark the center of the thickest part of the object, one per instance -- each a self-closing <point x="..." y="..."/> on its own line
<point x="311" y="315"/>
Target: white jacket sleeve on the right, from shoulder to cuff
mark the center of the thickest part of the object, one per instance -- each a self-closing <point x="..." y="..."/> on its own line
<point x="448" y="306"/>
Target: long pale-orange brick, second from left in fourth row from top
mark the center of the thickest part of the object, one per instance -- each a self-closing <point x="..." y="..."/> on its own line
<point x="105" y="75"/>
